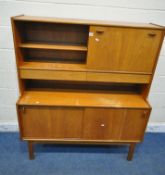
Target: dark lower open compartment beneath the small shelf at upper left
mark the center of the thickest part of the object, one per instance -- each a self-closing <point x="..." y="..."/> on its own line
<point x="54" y="56"/>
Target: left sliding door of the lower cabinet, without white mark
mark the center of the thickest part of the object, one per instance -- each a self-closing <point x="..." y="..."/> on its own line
<point x="51" y="123"/>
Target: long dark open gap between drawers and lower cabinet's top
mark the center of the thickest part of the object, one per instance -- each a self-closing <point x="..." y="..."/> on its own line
<point x="53" y="85"/>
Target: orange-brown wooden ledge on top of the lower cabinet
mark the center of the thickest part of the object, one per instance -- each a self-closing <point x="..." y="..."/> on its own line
<point x="80" y="99"/>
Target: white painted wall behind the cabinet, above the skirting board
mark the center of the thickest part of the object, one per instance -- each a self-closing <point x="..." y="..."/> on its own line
<point x="118" y="10"/>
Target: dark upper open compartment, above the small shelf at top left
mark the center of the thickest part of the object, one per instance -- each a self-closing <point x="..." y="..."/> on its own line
<point x="53" y="33"/>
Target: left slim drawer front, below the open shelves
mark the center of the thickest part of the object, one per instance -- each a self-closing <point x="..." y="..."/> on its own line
<point x="52" y="74"/>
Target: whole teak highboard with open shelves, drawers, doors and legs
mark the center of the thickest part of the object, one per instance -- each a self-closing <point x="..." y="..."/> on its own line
<point x="84" y="81"/>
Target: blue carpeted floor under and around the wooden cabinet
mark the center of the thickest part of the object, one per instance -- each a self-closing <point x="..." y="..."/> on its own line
<point x="149" y="158"/>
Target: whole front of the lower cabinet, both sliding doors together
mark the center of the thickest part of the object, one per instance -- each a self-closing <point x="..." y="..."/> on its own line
<point x="83" y="123"/>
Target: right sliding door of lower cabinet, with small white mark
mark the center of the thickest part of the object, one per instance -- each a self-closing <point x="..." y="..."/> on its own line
<point x="114" y="124"/>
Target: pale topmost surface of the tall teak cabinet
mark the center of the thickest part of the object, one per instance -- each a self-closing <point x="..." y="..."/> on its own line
<point x="85" y="21"/>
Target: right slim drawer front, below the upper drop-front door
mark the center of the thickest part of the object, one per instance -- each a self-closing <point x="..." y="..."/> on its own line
<point x="118" y="77"/>
